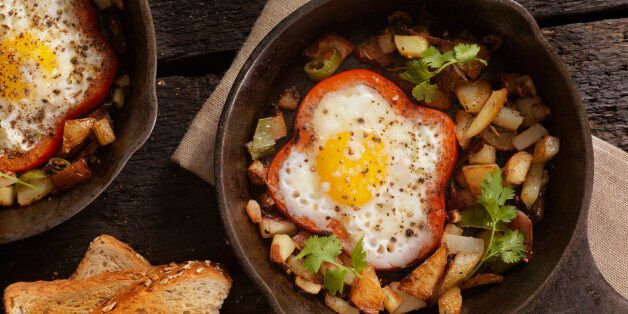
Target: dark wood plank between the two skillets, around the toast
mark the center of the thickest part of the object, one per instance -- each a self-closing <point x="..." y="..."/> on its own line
<point x="163" y="211"/>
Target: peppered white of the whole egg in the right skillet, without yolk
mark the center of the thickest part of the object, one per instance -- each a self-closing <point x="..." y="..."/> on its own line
<point x="394" y="222"/>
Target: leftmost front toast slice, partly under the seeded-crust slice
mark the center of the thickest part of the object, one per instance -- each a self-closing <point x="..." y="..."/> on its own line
<point x="67" y="296"/>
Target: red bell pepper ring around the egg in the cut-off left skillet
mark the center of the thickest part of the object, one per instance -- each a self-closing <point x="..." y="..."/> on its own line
<point x="98" y="90"/>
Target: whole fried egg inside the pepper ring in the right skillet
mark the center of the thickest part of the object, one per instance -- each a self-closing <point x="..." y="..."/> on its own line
<point x="367" y="171"/>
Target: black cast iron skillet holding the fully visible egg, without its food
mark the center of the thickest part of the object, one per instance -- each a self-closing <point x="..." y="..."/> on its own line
<point x="276" y="64"/>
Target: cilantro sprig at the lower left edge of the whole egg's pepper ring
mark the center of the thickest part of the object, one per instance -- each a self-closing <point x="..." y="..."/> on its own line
<point x="318" y="250"/>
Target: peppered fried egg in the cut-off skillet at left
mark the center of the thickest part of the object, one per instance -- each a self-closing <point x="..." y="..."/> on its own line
<point x="52" y="62"/>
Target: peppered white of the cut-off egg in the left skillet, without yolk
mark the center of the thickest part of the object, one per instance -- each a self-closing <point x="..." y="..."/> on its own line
<point x="51" y="95"/>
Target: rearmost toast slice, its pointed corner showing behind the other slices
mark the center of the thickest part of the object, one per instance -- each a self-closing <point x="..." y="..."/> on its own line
<point x="108" y="254"/>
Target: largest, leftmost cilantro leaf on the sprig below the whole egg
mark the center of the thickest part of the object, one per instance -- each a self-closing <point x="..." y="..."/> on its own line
<point x="318" y="250"/>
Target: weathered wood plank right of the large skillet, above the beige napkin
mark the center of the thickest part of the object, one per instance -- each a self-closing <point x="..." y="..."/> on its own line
<point x="596" y="55"/>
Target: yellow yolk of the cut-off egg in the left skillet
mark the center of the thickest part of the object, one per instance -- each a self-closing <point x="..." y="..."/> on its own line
<point x="19" y="56"/>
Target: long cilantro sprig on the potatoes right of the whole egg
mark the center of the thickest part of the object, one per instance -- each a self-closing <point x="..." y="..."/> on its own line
<point x="509" y="246"/>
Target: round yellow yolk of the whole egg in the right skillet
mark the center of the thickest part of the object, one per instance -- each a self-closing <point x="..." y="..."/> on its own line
<point x="352" y="165"/>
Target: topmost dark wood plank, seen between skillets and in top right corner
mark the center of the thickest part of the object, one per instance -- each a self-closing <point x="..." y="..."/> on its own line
<point x="191" y="28"/>
